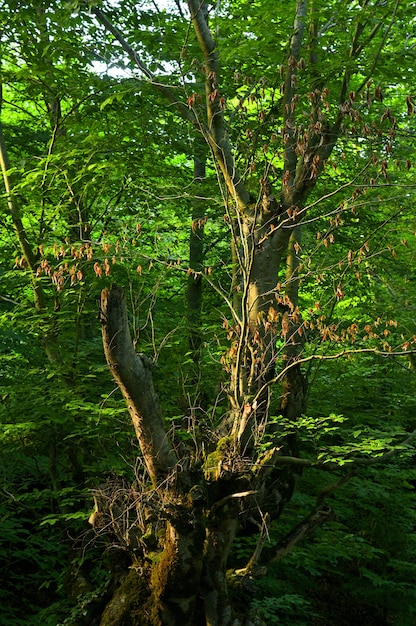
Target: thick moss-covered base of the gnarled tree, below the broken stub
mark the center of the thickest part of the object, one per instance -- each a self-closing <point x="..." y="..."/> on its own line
<point x="176" y="573"/>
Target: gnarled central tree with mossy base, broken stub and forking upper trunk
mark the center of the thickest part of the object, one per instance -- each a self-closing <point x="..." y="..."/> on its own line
<point x="206" y="505"/>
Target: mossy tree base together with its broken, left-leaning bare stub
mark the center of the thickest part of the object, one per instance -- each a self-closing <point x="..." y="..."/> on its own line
<point x="176" y="525"/>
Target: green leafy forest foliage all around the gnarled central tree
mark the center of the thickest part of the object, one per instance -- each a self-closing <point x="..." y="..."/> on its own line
<point x="103" y="175"/>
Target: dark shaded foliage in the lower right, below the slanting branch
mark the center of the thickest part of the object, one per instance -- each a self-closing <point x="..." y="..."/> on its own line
<point x="360" y="562"/>
